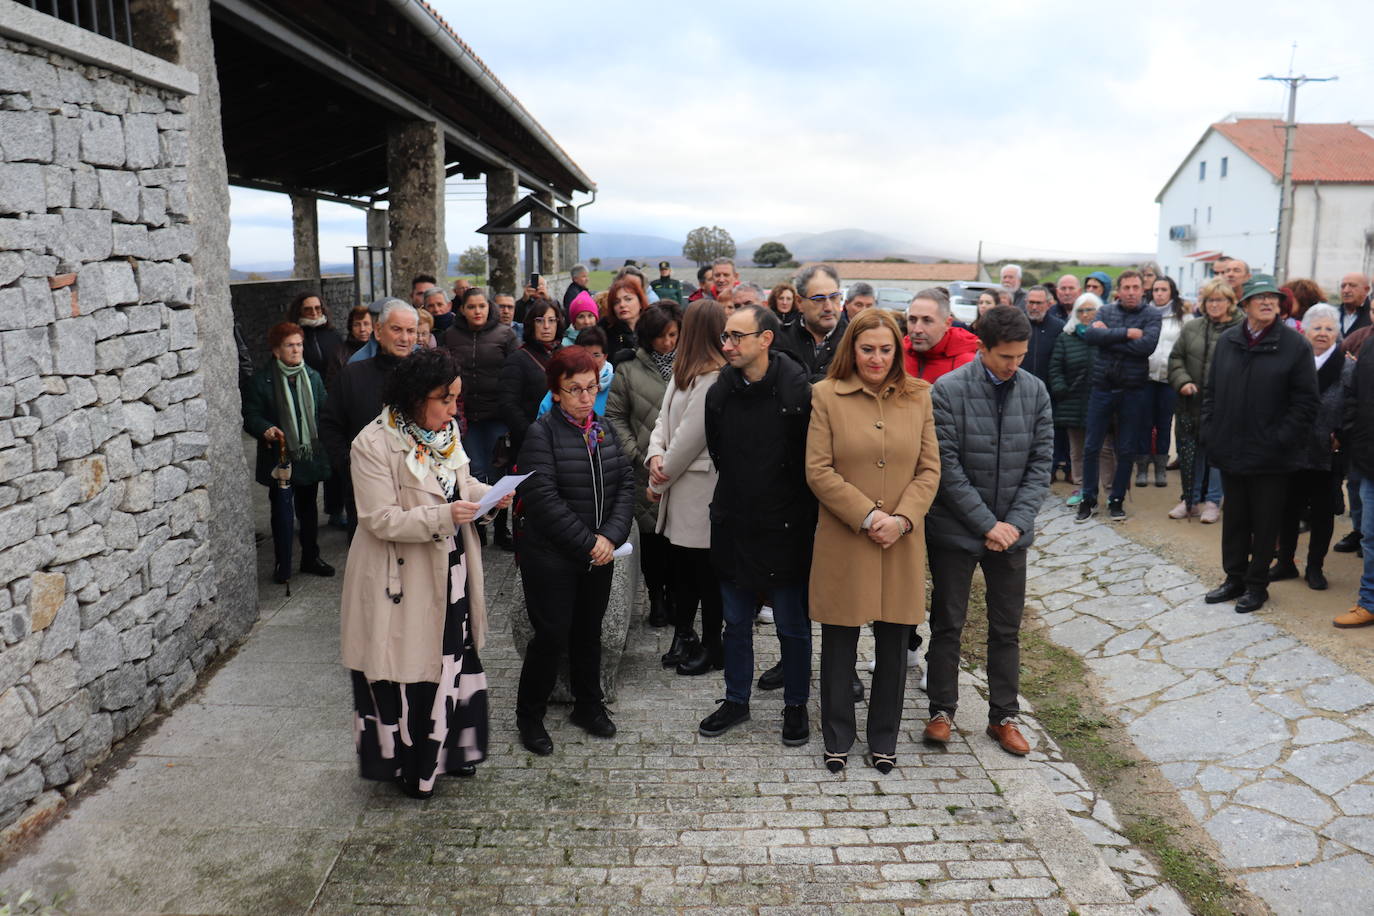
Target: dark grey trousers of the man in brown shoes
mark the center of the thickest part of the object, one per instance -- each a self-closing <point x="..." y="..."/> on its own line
<point x="951" y="576"/>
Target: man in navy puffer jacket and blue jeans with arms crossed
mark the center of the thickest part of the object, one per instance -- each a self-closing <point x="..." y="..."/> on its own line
<point x="1126" y="334"/>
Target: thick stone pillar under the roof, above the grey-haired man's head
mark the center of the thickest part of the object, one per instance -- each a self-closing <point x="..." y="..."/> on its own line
<point x="416" y="178"/>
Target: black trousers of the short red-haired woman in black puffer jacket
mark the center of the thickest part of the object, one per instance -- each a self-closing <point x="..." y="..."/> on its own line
<point x="565" y="605"/>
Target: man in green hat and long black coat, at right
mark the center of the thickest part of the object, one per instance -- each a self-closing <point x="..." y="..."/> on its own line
<point x="1258" y="411"/>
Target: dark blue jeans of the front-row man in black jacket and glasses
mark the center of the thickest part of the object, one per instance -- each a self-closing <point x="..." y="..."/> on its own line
<point x="793" y="626"/>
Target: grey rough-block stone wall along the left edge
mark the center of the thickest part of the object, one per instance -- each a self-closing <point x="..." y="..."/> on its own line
<point x="108" y="582"/>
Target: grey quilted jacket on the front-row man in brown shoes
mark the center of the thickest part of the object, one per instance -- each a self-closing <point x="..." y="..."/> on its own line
<point x="994" y="466"/>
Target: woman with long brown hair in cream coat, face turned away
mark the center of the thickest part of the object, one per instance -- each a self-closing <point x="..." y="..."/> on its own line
<point x="682" y="480"/>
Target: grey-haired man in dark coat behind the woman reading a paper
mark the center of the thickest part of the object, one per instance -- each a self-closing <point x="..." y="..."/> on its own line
<point x="357" y="398"/>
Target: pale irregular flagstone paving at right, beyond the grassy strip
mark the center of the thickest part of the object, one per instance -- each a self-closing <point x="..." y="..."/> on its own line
<point x="1270" y="744"/>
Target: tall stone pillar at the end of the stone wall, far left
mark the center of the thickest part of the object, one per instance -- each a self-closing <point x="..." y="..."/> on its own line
<point x="230" y="532"/>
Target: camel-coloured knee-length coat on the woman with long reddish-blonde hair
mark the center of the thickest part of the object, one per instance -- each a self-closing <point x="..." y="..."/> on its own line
<point x="866" y="453"/>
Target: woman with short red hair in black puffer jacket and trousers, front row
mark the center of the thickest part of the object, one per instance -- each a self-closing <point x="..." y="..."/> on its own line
<point x="576" y="510"/>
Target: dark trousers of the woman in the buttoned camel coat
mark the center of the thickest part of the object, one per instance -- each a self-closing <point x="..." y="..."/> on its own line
<point x="839" y="652"/>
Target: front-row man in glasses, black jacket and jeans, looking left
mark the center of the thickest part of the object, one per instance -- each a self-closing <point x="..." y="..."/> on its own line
<point x="763" y="516"/>
